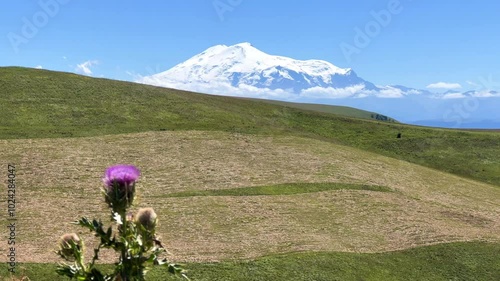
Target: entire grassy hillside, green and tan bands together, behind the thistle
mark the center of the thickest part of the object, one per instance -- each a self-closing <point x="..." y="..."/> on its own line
<point x="250" y="190"/>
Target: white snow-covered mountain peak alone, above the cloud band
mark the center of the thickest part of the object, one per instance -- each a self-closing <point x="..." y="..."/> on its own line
<point x="243" y="64"/>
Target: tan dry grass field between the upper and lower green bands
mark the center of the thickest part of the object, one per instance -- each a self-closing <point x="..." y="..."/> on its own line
<point x="59" y="179"/>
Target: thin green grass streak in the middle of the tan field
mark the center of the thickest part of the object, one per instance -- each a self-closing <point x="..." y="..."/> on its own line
<point x="279" y="189"/>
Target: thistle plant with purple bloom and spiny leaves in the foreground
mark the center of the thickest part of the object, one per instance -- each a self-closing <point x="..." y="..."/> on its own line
<point x="134" y="238"/>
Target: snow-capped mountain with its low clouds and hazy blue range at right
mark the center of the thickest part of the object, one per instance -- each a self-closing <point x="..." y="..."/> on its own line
<point x="243" y="70"/>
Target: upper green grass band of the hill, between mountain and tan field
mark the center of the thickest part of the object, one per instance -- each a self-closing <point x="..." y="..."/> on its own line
<point x="45" y="104"/>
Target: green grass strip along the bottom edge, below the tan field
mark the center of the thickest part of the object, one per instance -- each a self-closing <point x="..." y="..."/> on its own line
<point x="453" y="261"/>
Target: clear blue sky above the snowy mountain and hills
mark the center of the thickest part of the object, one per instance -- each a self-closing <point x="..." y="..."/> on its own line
<point x="412" y="43"/>
